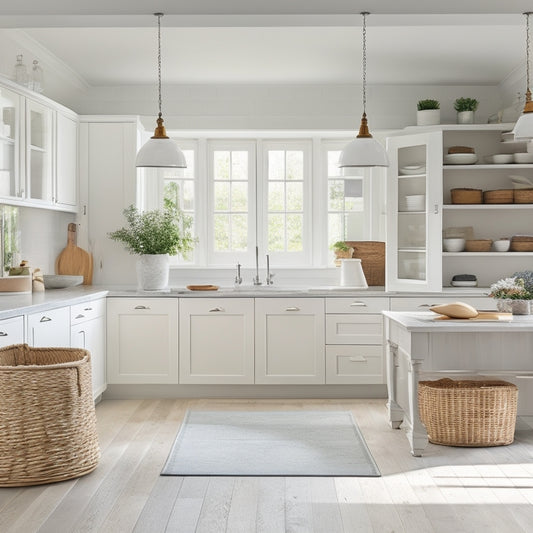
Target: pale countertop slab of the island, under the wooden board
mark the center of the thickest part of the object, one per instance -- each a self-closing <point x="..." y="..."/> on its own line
<point x="425" y="321"/>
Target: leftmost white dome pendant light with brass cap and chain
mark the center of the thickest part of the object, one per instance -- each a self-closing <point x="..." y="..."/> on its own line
<point x="160" y="150"/>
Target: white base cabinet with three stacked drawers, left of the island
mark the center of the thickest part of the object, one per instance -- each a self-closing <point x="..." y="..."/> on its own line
<point x="354" y="340"/>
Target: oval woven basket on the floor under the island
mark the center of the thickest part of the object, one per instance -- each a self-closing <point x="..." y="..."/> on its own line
<point x="468" y="413"/>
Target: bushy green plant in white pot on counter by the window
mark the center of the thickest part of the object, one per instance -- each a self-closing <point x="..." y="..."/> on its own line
<point x="154" y="236"/>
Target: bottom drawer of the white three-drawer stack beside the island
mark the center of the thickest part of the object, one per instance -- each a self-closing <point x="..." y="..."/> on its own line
<point x="354" y="364"/>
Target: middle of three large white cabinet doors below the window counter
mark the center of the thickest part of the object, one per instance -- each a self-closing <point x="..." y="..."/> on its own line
<point x="216" y="340"/>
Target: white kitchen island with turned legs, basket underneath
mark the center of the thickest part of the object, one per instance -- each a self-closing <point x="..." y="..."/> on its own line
<point x="421" y="347"/>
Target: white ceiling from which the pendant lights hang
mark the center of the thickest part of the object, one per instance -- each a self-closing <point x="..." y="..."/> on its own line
<point x="279" y="41"/>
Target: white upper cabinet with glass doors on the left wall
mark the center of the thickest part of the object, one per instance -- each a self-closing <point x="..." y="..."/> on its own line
<point x="39" y="151"/>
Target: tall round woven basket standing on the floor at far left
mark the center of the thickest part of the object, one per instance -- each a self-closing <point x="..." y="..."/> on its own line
<point x="47" y="416"/>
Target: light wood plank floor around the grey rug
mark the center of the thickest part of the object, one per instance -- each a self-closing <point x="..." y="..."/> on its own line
<point x="448" y="490"/>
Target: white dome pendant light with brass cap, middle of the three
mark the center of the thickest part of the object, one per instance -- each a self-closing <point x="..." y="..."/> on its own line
<point x="364" y="151"/>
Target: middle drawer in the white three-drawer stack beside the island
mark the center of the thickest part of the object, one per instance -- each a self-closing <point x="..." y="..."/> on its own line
<point x="354" y="329"/>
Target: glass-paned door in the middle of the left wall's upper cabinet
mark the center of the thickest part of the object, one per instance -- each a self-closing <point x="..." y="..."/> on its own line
<point x="38" y="152"/>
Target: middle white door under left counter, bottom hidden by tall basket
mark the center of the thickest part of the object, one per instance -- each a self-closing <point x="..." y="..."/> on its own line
<point x="50" y="328"/>
